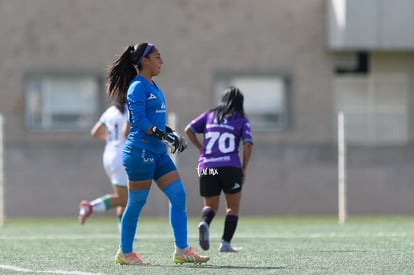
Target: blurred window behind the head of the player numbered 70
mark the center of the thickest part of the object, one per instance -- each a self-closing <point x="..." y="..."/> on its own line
<point x="265" y="98"/>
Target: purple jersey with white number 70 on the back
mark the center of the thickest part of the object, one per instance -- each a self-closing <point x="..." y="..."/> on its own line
<point x="221" y="141"/>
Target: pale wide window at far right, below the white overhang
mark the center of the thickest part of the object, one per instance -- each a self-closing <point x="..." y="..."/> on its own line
<point x="375" y="108"/>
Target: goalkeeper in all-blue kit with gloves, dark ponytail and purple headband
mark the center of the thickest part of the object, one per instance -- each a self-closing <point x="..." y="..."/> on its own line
<point x="145" y="156"/>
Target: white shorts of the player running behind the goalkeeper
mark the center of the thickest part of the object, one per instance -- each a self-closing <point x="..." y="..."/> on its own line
<point x="112" y="162"/>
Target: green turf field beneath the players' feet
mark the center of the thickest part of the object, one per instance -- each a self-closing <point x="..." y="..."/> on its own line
<point x="271" y="245"/>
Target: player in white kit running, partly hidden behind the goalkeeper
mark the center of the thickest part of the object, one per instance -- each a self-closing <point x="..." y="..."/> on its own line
<point x="113" y="127"/>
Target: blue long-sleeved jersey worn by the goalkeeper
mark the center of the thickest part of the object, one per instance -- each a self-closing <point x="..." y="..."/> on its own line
<point x="146" y="105"/>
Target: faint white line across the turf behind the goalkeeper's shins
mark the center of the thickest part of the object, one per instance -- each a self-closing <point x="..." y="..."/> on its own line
<point x="239" y="235"/>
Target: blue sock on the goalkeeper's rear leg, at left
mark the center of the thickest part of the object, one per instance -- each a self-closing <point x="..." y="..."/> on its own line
<point x="129" y="221"/>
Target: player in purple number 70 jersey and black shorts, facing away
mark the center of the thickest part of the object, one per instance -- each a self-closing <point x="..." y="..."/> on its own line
<point x="219" y="166"/>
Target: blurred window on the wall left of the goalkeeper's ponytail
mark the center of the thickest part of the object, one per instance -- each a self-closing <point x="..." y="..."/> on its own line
<point x="59" y="101"/>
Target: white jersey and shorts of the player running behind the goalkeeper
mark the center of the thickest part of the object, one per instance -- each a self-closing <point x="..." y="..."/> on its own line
<point x="114" y="122"/>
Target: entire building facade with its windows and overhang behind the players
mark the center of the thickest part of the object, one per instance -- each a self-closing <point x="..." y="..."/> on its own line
<point x="298" y="63"/>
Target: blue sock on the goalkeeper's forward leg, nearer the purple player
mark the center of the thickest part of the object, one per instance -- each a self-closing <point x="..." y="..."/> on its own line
<point x="178" y="215"/>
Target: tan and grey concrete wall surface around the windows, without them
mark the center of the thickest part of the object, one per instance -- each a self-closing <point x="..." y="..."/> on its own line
<point x="292" y="172"/>
